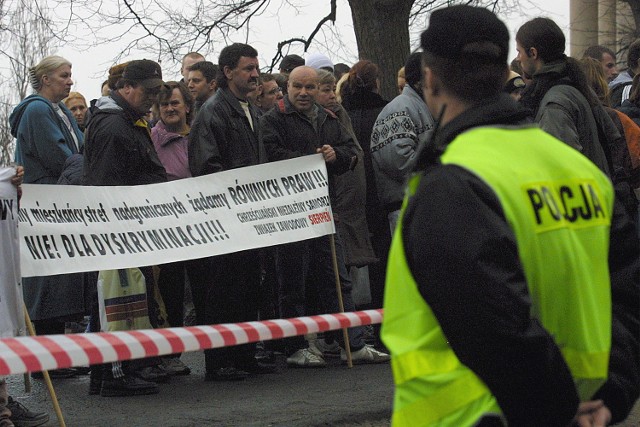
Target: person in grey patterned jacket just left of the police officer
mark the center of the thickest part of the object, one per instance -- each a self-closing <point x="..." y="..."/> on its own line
<point x="402" y="127"/>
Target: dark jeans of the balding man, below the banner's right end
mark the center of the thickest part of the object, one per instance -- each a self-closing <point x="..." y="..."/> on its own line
<point x="306" y="280"/>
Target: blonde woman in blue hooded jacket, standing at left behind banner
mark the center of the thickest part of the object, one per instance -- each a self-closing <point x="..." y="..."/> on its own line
<point x="46" y="136"/>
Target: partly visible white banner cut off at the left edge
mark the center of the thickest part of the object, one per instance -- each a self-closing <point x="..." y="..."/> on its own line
<point x="11" y="312"/>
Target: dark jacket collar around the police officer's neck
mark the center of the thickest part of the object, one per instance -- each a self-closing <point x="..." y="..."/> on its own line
<point x="500" y="110"/>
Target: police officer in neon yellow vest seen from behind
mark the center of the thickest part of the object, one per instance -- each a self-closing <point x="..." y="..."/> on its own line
<point x="501" y="307"/>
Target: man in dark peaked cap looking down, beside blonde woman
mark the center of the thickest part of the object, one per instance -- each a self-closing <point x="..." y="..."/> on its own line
<point x="122" y="153"/>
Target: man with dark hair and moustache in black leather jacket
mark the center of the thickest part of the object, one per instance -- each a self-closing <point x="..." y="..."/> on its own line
<point x="225" y="136"/>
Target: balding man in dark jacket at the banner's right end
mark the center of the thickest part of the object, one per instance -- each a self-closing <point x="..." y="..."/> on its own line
<point x="295" y="127"/>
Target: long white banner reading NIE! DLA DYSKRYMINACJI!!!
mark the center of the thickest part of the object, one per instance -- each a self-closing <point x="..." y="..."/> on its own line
<point x="65" y="229"/>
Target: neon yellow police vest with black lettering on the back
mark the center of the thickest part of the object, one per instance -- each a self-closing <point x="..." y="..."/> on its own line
<point x="558" y="204"/>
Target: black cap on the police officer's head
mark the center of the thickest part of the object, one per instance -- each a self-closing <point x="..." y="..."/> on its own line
<point x="453" y="28"/>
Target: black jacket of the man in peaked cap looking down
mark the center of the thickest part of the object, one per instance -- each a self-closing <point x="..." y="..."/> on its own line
<point x="119" y="150"/>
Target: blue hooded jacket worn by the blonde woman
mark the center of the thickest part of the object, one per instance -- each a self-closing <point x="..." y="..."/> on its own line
<point x="43" y="140"/>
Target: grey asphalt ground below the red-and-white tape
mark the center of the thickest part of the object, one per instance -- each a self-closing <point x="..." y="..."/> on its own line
<point x="333" y="396"/>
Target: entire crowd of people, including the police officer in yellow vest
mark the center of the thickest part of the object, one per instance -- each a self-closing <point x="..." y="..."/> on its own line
<point x="510" y="195"/>
